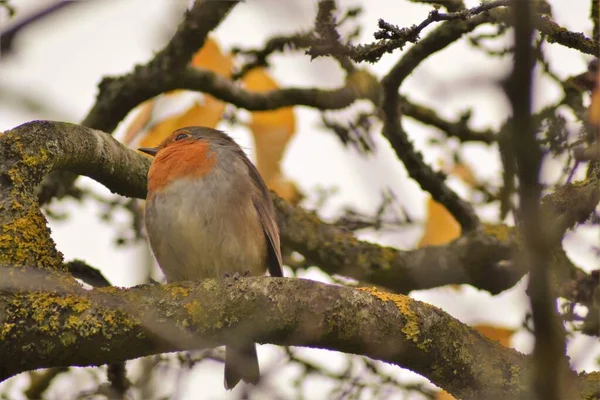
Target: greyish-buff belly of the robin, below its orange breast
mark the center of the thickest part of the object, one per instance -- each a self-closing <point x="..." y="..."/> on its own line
<point x="204" y="237"/>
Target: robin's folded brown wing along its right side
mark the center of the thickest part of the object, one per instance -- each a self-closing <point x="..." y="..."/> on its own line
<point x="266" y="213"/>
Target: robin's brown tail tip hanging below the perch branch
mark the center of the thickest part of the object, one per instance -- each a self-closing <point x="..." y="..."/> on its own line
<point x="241" y="363"/>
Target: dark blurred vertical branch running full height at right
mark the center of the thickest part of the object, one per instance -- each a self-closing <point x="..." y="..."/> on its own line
<point x="550" y="362"/>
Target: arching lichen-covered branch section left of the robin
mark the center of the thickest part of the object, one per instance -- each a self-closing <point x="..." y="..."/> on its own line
<point x="31" y="151"/>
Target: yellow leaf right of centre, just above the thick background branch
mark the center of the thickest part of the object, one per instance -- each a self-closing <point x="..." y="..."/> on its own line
<point x="440" y="227"/>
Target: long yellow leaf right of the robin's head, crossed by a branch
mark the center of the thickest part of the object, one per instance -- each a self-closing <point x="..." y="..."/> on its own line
<point x="272" y="131"/>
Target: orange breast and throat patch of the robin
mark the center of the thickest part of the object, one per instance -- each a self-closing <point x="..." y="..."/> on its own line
<point x="186" y="159"/>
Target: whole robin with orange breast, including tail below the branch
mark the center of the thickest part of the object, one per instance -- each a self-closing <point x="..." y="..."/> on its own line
<point x="209" y="213"/>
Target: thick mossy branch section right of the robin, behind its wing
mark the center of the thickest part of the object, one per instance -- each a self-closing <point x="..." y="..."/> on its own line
<point x="476" y="258"/>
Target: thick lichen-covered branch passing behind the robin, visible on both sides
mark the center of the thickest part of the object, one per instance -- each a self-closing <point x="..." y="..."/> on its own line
<point x="477" y="258"/>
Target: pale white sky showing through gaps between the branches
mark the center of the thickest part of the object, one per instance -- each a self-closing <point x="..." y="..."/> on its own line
<point x="61" y="60"/>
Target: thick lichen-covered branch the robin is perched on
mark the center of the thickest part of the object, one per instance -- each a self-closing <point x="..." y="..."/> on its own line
<point x="96" y="327"/>
